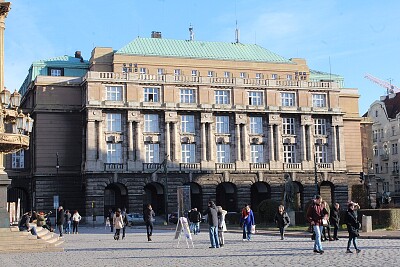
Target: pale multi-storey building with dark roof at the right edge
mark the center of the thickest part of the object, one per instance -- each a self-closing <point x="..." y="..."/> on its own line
<point x="385" y="115"/>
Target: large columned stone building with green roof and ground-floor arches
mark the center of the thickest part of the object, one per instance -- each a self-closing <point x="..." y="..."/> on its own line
<point x="228" y="119"/>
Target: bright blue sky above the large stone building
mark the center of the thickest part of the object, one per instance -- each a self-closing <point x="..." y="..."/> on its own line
<point x="349" y="38"/>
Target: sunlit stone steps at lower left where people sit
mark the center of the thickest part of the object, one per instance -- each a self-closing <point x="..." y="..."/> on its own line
<point x="13" y="240"/>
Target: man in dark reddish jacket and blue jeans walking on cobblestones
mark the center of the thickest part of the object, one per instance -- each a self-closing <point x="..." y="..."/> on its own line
<point x="315" y="213"/>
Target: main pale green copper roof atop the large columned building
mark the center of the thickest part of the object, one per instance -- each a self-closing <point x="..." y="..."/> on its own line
<point x="199" y="49"/>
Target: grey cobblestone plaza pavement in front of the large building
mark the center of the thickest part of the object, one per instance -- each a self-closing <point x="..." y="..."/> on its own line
<point x="96" y="247"/>
